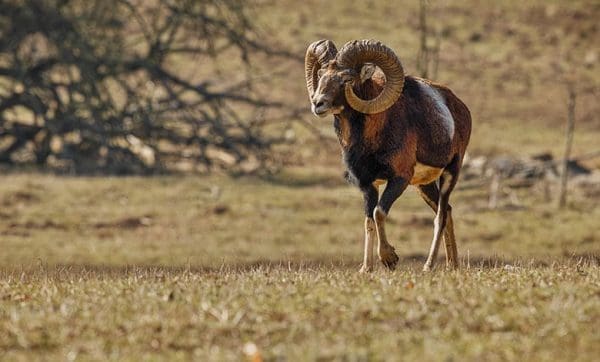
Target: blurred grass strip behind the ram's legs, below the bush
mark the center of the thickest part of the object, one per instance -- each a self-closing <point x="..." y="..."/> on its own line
<point x="299" y="215"/>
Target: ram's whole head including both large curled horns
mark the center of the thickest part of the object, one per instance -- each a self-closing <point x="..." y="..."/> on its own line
<point x="330" y="76"/>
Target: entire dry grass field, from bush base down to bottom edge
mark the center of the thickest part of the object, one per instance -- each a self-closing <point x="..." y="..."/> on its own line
<point x="203" y="267"/>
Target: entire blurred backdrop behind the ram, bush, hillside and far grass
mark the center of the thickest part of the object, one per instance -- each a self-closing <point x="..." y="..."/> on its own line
<point x="202" y="105"/>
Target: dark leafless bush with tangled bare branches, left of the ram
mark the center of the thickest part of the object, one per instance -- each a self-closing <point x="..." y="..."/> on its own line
<point x="122" y="86"/>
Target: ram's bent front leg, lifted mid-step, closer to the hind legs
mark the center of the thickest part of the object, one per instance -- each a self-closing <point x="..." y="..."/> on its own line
<point x="395" y="187"/>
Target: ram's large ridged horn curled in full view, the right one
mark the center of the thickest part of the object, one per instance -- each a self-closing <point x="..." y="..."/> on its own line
<point x="354" y="54"/>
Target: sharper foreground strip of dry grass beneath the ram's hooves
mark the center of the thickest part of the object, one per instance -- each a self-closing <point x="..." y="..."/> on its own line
<point x="311" y="312"/>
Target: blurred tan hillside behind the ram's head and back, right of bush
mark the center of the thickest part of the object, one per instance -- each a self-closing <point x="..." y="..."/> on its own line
<point x="507" y="60"/>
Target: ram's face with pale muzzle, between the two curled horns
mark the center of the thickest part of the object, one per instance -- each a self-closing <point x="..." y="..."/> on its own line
<point x="329" y="95"/>
